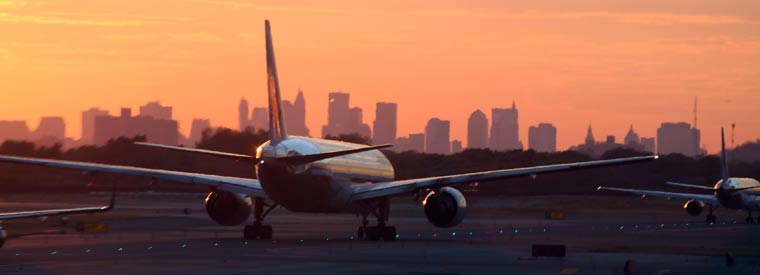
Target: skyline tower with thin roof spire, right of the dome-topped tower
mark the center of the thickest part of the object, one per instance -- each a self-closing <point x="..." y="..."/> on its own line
<point x="504" y="129"/>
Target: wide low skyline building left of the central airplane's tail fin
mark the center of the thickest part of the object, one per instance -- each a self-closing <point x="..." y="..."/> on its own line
<point x="161" y="131"/>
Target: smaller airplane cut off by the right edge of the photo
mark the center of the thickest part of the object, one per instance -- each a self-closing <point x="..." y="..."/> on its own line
<point x="728" y="192"/>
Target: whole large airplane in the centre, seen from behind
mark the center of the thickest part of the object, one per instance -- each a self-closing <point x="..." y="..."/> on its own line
<point x="313" y="175"/>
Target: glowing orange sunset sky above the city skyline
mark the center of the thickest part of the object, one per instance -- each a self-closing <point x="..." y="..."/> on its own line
<point x="611" y="63"/>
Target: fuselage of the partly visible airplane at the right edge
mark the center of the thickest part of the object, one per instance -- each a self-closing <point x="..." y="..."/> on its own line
<point x="738" y="193"/>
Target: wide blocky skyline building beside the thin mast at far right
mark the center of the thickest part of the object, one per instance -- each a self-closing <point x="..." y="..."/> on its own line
<point x="678" y="138"/>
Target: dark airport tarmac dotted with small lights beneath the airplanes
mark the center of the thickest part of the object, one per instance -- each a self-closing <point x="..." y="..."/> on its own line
<point x="155" y="236"/>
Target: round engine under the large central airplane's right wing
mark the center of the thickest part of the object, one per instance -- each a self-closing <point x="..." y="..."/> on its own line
<point x="444" y="208"/>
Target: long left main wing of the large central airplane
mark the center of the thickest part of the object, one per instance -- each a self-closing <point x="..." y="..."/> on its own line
<point x="231" y="184"/>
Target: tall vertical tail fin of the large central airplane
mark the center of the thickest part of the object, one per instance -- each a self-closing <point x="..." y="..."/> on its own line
<point x="276" y="120"/>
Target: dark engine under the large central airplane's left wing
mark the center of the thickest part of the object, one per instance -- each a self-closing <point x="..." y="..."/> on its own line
<point x="227" y="208"/>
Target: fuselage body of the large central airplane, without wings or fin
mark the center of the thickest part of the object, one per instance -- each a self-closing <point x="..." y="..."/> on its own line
<point x="323" y="186"/>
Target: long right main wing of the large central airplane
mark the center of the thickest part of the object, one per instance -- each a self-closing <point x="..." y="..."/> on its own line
<point x="385" y="189"/>
